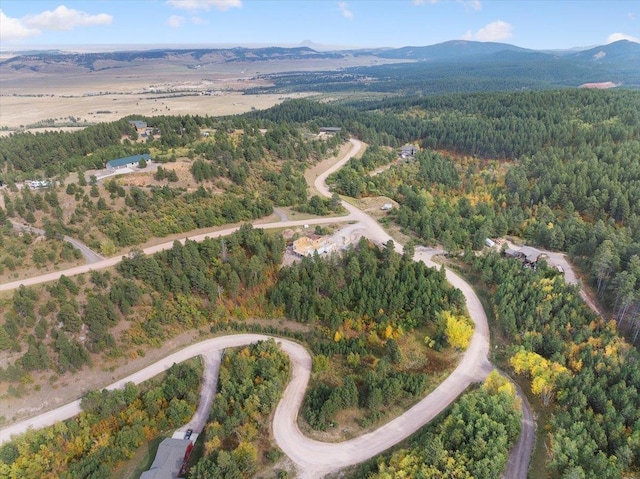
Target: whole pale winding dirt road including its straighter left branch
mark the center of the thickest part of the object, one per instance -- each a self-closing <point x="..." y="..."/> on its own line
<point x="313" y="459"/>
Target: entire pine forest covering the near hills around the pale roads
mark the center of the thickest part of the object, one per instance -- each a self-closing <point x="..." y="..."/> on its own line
<point x="555" y="169"/>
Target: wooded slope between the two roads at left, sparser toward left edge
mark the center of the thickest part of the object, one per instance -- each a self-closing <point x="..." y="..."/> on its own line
<point x="157" y="295"/>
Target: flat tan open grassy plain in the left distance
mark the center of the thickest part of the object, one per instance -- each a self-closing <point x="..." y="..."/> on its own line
<point x="29" y="97"/>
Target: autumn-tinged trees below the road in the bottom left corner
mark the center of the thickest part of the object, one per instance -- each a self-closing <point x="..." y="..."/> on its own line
<point x="112" y="426"/>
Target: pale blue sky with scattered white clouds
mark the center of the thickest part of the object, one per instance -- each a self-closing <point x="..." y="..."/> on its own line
<point x="537" y="24"/>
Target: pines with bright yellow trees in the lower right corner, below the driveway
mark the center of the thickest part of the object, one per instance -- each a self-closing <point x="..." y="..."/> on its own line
<point x="574" y="360"/>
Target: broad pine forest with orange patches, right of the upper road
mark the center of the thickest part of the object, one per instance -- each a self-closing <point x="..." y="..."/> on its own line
<point x="559" y="168"/>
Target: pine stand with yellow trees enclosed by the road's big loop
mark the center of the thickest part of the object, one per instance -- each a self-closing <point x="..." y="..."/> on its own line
<point x="373" y="305"/>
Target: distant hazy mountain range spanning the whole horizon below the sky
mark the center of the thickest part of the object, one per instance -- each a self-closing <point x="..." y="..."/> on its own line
<point x="617" y="62"/>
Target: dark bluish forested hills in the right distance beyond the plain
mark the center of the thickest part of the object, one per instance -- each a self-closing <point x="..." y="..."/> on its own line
<point x="462" y="67"/>
